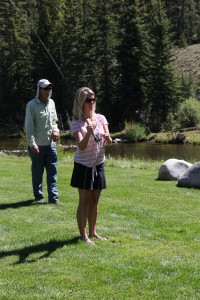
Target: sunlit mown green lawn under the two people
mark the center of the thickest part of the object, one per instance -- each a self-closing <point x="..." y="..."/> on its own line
<point x="153" y="251"/>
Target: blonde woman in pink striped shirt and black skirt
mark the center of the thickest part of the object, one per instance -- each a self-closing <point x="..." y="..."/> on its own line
<point x="91" y="133"/>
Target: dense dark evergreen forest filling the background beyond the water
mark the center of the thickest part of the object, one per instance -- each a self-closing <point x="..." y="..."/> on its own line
<point x="122" y="49"/>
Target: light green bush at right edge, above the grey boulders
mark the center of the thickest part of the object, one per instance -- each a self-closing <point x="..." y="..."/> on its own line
<point x="188" y="114"/>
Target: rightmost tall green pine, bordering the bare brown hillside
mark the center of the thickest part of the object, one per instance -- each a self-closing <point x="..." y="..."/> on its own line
<point x="162" y="83"/>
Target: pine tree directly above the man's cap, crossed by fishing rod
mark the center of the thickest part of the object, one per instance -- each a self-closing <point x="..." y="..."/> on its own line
<point x="47" y="29"/>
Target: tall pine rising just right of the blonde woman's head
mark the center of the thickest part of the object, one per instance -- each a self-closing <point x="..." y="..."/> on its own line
<point x="102" y="55"/>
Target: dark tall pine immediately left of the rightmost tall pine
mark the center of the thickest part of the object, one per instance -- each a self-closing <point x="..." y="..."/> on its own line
<point x="132" y="60"/>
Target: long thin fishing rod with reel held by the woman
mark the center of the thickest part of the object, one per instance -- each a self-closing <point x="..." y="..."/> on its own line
<point x="96" y="136"/>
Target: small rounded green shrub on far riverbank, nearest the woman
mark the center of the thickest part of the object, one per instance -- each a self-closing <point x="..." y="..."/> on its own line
<point x="134" y="131"/>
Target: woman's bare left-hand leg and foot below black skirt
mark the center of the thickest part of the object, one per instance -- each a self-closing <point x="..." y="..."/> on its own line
<point x="82" y="213"/>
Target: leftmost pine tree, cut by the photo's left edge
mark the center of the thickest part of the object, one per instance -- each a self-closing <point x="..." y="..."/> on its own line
<point x="16" y="59"/>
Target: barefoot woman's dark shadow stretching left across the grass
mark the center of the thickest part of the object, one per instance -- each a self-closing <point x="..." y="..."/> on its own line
<point x="49" y="248"/>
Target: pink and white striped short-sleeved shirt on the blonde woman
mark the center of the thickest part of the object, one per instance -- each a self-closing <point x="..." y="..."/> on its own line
<point x="94" y="154"/>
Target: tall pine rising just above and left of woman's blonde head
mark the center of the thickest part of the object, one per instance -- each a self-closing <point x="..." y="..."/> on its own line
<point x="74" y="49"/>
